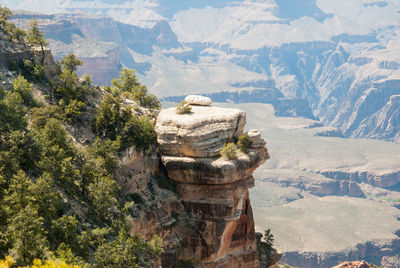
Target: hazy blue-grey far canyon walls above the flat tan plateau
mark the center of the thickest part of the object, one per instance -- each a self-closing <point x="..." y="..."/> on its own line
<point x="229" y="50"/>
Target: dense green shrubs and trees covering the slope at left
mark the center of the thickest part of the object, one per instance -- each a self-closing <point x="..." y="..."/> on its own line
<point x="58" y="200"/>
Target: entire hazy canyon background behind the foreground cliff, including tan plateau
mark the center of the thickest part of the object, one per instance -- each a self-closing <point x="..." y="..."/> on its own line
<point x="319" y="70"/>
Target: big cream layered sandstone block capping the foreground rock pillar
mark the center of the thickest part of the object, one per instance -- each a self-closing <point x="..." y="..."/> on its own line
<point x="201" y="133"/>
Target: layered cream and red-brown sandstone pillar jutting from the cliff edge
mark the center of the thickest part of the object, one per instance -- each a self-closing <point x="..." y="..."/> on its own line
<point x="212" y="189"/>
